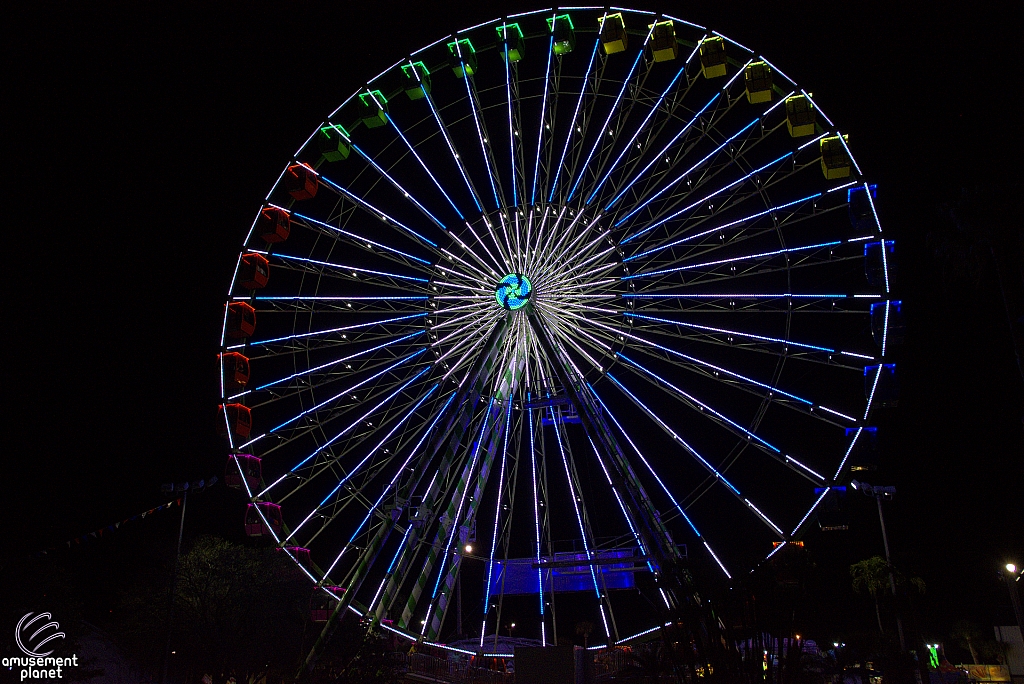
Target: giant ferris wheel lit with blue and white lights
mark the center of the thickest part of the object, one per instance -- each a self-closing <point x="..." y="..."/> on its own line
<point x="552" y="306"/>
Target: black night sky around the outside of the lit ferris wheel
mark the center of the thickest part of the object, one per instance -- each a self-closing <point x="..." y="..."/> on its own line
<point x="142" y="141"/>
